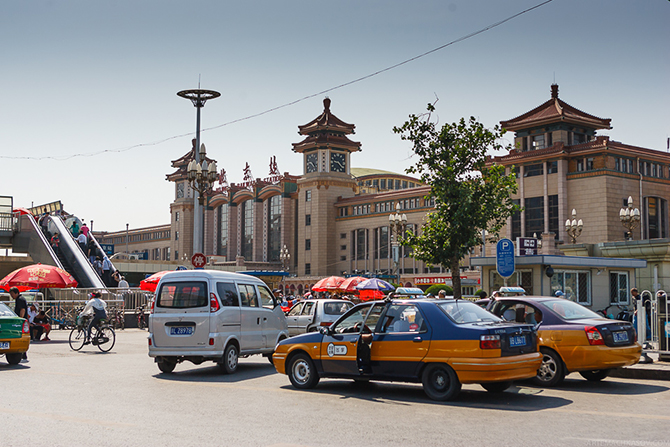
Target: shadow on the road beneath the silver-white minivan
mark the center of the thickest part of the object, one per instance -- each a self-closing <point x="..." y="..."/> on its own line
<point x="209" y="372"/>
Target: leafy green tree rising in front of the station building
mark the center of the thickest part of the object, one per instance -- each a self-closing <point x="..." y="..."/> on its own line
<point x="469" y="195"/>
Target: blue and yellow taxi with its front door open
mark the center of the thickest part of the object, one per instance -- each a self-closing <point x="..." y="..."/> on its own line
<point x="439" y="343"/>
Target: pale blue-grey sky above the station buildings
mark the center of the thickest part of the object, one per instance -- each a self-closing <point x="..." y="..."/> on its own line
<point x="90" y="116"/>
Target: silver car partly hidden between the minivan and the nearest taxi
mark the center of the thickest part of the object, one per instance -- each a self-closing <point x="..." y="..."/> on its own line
<point x="308" y="316"/>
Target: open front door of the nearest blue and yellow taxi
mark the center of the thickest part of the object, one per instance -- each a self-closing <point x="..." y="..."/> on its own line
<point x="339" y="348"/>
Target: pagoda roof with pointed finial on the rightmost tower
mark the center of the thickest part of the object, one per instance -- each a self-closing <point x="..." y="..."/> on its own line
<point x="553" y="111"/>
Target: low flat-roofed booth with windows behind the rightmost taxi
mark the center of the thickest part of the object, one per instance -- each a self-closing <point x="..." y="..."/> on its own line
<point x="597" y="283"/>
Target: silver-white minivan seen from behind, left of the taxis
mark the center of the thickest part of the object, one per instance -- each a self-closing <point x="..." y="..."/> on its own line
<point x="201" y="315"/>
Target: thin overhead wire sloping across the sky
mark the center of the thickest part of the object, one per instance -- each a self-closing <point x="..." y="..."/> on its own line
<point x="288" y="104"/>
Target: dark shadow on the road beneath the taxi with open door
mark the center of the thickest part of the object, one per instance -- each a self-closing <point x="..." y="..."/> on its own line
<point x="516" y="398"/>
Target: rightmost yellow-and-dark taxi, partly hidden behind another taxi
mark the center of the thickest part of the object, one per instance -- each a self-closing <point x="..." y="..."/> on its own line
<point x="572" y="338"/>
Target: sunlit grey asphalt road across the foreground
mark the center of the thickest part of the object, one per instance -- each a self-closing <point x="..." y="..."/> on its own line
<point x="65" y="398"/>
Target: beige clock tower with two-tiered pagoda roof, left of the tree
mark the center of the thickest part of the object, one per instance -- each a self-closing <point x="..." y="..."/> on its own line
<point x="326" y="152"/>
